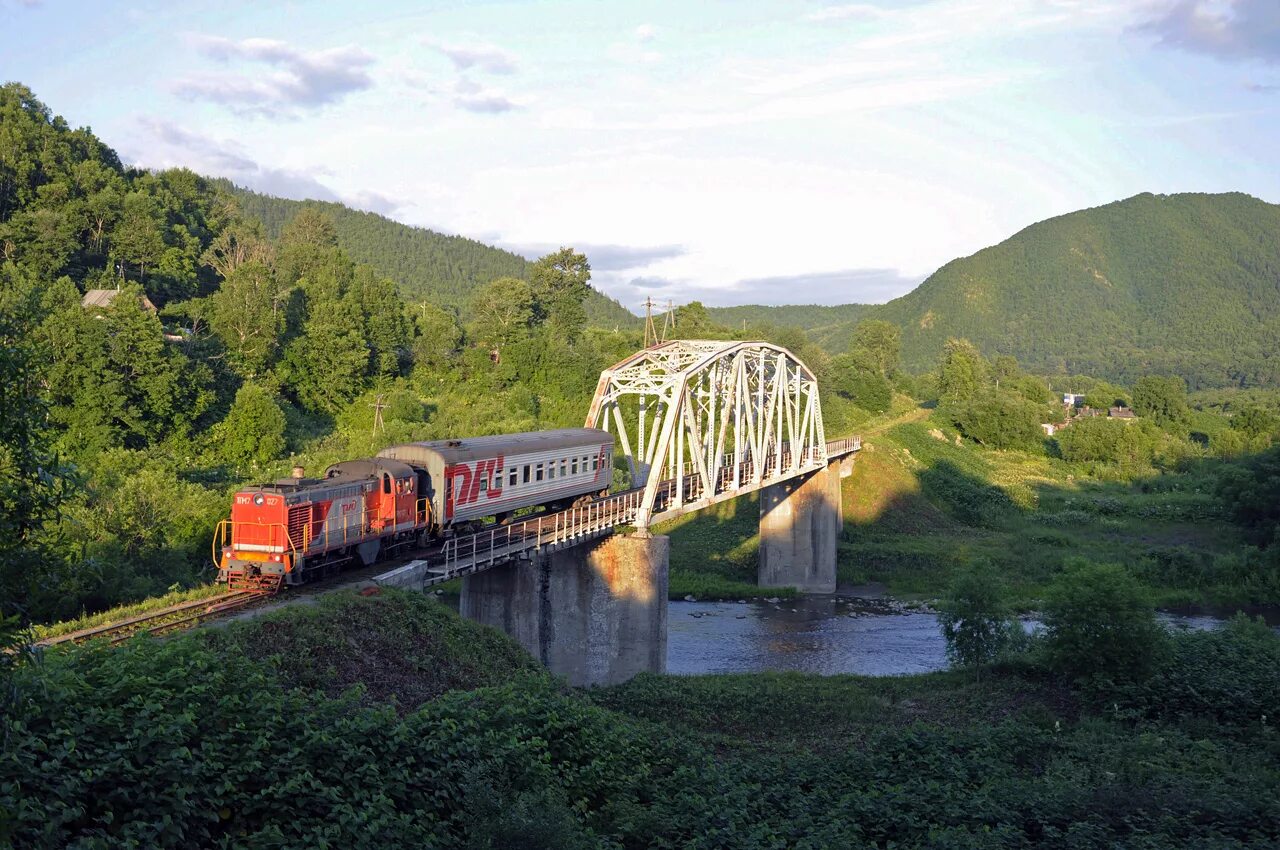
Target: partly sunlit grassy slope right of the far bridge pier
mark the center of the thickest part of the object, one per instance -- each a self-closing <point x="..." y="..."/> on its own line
<point x="920" y="505"/>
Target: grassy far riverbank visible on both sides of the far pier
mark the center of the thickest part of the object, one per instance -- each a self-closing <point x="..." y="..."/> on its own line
<point x="920" y="506"/>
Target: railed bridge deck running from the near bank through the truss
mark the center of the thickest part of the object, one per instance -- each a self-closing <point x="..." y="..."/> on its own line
<point x="499" y="545"/>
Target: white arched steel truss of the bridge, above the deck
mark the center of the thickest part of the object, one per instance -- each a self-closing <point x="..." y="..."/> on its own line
<point x="706" y="421"/>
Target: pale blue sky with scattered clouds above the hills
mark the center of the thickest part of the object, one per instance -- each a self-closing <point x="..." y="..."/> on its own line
<point x="772" y="152"/>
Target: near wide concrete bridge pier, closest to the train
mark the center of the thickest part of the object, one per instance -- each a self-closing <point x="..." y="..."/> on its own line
<point x="595" y="614"/>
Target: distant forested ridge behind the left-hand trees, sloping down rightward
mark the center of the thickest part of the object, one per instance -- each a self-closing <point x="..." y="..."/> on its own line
<point x="427" y="266"/>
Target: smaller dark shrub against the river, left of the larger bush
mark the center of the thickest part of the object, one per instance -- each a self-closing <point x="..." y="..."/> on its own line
<point x="975" y="618"/>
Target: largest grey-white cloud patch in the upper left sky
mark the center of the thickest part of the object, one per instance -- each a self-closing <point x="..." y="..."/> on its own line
<point x="301" y="79"/>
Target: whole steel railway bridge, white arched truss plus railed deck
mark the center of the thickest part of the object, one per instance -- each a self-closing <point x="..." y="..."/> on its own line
<point x="700" y="422"/>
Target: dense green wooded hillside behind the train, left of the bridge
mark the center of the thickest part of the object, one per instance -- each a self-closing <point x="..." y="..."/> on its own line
<point x="227" y="350"/>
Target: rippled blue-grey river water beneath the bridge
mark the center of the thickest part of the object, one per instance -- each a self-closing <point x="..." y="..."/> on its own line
<point x="826" y="636"/>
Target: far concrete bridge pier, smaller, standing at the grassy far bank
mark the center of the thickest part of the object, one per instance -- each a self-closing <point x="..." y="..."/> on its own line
<point x="801" y="523"/>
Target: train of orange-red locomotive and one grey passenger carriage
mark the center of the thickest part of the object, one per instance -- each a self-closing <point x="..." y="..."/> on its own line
<point x="299" y="529"/>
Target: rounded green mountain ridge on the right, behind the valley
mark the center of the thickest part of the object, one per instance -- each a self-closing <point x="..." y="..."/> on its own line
<point x="1185" y="285"/>
